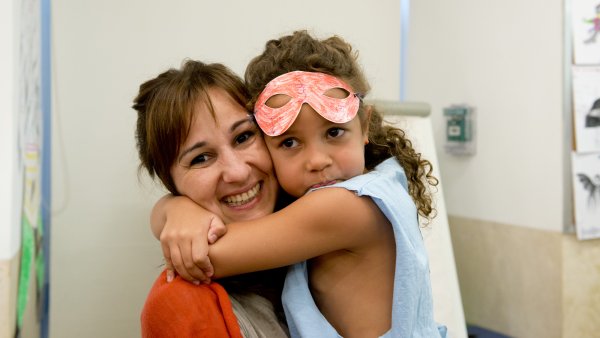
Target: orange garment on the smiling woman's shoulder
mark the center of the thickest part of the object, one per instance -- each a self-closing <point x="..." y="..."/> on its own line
<point x="184" y="310"/>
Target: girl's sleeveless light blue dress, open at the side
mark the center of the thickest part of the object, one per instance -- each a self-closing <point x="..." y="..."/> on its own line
<point x="412" y="309"/>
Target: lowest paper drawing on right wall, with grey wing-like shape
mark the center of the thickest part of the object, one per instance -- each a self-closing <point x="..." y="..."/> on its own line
<point x="586" y="189"/>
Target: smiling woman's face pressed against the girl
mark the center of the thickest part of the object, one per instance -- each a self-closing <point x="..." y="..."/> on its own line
<point x="224" y="165"/>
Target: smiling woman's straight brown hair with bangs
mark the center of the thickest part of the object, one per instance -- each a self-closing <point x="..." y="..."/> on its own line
<point x="165" y="108"/>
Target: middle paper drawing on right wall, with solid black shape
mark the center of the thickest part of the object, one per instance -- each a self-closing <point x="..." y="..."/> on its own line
<point x="586" y="105"/>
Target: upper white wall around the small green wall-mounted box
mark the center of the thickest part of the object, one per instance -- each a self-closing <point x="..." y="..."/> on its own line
<point x="506" y="59"/>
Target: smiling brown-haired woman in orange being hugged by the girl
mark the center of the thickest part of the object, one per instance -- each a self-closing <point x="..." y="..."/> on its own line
<point x="201" y="106"/>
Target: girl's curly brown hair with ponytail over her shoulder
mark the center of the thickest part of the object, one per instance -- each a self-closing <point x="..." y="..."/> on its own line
<point x="334" y="56"/>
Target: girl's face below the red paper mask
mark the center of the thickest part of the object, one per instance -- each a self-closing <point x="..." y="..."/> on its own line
<point x="315" y="152"/>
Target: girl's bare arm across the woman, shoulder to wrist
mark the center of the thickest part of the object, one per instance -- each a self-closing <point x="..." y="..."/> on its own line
<point x="323" y="221"/>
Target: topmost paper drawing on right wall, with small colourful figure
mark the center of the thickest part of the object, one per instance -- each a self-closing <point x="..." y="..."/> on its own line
<point x="585" y="21"/>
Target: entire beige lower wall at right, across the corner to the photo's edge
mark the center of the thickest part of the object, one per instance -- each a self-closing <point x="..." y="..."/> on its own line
<point x="527" y="282"/>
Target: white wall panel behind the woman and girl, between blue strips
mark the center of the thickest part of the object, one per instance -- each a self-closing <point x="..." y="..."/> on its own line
<point x="103" y="258"/>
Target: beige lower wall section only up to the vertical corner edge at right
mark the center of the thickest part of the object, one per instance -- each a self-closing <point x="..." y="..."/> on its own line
<point x="510" y="277"/>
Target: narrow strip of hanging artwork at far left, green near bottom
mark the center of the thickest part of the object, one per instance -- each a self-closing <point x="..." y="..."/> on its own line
<point x="32" y="111"/>
